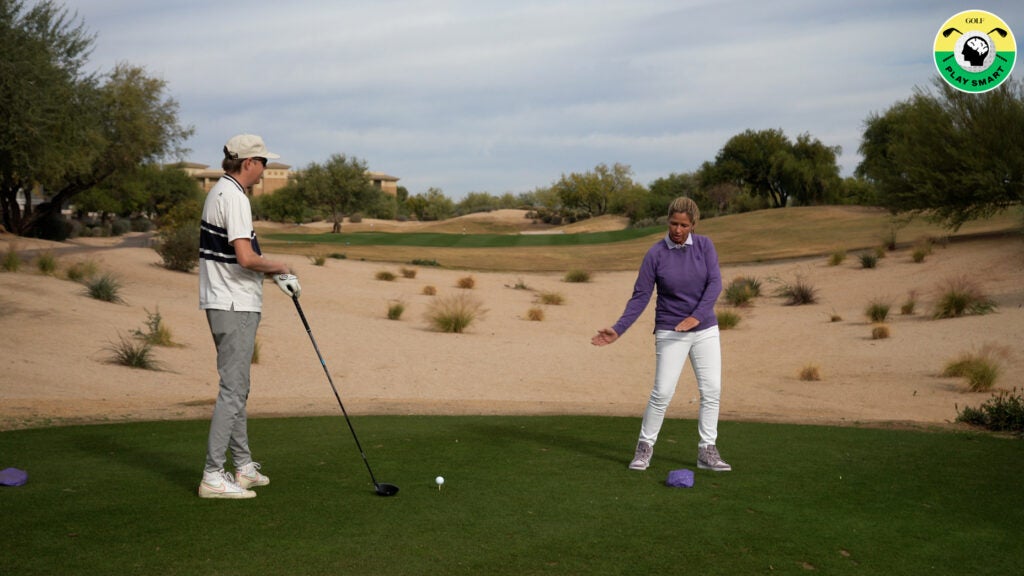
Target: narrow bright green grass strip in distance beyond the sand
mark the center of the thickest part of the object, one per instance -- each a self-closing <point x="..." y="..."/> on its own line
<point x="434" y="240"/>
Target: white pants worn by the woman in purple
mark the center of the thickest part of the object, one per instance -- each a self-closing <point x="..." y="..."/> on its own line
<point x="672" y="349"/>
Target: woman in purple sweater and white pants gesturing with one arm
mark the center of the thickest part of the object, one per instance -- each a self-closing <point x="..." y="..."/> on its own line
<point x="685" y="268"/>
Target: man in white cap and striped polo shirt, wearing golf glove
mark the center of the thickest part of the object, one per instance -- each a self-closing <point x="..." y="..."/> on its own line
<point x="231" y="291"/>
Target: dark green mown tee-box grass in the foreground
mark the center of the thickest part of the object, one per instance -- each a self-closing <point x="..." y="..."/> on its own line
<point x="524" y="496"/>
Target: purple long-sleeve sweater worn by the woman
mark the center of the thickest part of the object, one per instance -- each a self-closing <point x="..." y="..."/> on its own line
<point x="689" y="283"/>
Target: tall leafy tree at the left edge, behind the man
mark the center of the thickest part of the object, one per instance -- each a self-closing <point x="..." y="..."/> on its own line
<point x="67" y="131"/>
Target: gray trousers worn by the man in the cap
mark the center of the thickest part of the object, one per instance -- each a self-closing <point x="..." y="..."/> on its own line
<point x="235" y="336"/>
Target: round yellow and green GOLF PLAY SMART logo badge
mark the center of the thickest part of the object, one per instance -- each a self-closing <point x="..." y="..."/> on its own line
<point x="975" y="52"/>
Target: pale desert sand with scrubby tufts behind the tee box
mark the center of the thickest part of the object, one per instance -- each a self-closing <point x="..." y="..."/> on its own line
<point x="55" y="367"/>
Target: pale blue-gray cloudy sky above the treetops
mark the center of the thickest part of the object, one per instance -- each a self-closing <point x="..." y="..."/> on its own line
<point x="485" y="96"/>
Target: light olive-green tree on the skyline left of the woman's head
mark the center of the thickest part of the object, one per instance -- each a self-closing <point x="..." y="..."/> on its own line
<point x="596" y="192"/>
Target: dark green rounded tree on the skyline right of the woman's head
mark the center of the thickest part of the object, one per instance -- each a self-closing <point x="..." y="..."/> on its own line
<point x="767" y="164"/>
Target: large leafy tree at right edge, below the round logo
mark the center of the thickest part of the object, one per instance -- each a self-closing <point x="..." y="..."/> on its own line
<point x="952" y="156"/>
